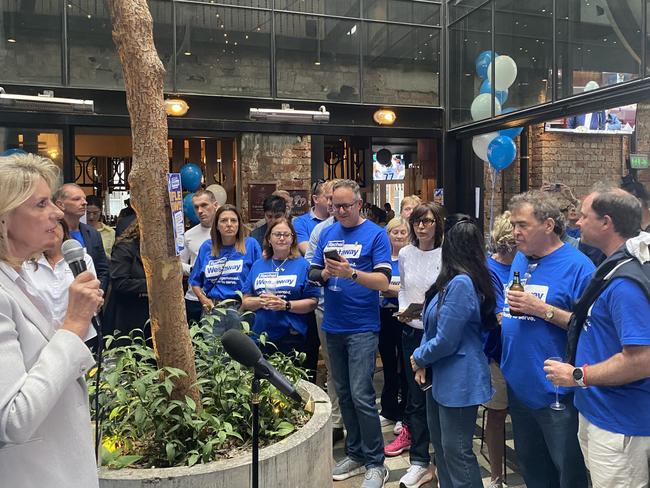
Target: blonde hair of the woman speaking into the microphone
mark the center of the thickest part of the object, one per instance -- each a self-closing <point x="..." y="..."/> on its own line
<point x="19" y="174"/>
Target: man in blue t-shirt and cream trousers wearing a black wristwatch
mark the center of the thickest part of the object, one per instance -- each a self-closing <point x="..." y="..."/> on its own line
<point x="613" y="352"/>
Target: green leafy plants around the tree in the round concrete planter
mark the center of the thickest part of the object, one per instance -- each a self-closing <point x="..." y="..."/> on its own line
<point x="144" y="427"/>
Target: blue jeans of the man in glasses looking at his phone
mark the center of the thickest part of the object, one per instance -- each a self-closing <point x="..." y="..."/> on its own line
<point x="352" y="360"/>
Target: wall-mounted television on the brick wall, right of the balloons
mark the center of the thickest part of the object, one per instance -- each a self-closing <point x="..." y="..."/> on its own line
<point x="615" y="121"/>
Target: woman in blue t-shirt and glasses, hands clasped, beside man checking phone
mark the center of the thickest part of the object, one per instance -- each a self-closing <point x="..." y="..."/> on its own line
<point x="278" y="290"/>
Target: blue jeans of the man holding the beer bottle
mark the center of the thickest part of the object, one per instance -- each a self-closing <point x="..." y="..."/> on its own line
<point x="546" y="442"/>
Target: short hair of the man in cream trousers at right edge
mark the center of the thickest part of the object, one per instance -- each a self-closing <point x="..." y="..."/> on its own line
<point x="622" y="207"/>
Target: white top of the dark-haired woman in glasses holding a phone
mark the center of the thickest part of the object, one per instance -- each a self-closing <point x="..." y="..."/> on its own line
<point x="418" y="270"/>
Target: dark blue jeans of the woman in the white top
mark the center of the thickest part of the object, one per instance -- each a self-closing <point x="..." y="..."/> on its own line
<point x="415" y="412"/>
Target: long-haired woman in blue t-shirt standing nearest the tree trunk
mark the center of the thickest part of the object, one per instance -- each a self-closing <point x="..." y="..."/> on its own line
<point x="222" y="265"/>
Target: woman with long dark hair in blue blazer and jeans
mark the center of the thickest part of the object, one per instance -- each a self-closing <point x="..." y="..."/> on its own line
<point x="458" y="306"/>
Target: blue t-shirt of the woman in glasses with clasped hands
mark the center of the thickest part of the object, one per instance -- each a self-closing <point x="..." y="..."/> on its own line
<point x="290" y="283"/>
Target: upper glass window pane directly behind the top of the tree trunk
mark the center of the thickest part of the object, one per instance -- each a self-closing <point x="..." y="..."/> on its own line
<point x="94" y="61"/>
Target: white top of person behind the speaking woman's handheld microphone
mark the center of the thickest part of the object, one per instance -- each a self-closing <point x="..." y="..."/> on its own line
<point x="52" y="285"/>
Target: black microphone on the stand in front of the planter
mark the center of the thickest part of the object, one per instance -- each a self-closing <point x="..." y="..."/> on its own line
<point x="243" y="350"/>
